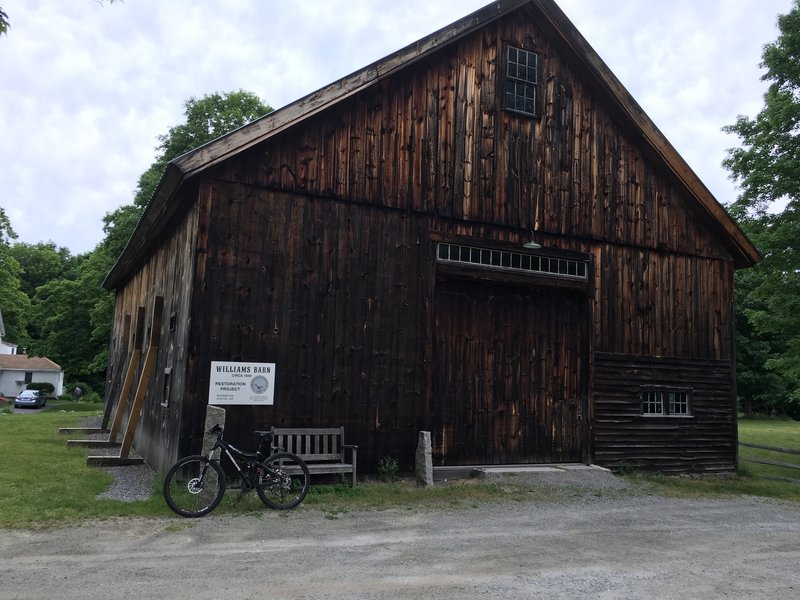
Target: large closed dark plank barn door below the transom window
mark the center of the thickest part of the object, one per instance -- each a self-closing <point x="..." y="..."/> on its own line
<point x="507" y="374"/>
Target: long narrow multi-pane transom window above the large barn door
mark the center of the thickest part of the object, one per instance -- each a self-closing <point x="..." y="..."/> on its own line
<point x="508" y="260"/>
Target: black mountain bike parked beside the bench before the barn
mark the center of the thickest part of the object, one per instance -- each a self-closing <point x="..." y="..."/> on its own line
<point x="195" y="485"/>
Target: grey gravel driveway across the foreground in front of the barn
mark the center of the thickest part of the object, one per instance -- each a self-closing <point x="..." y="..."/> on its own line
<point x="592" y="546"/>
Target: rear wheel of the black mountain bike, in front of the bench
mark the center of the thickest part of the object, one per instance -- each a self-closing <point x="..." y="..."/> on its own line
<point x="283" y="480"/>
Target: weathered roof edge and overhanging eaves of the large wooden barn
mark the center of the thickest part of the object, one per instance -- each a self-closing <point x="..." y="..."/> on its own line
<point x="186" y="167"/>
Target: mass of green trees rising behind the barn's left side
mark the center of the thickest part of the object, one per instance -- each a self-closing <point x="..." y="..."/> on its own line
<point x="71" y="313"/>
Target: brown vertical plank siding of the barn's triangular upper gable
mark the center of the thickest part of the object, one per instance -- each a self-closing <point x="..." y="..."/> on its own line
<point x="435" y="139"/>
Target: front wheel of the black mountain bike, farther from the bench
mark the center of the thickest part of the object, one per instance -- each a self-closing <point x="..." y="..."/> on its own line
<point x="194" y="486"/>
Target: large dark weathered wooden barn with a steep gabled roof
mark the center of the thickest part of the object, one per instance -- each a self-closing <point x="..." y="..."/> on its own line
<point x="482" y="236"/>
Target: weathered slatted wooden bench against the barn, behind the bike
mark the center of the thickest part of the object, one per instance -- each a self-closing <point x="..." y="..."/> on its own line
<point x="322" y="448"/>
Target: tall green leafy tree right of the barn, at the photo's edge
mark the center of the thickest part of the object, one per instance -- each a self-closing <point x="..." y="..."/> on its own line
<point x="767" y="168"/>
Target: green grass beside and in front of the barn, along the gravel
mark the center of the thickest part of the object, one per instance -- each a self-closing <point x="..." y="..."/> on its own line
<point x="45" y="483"/>
